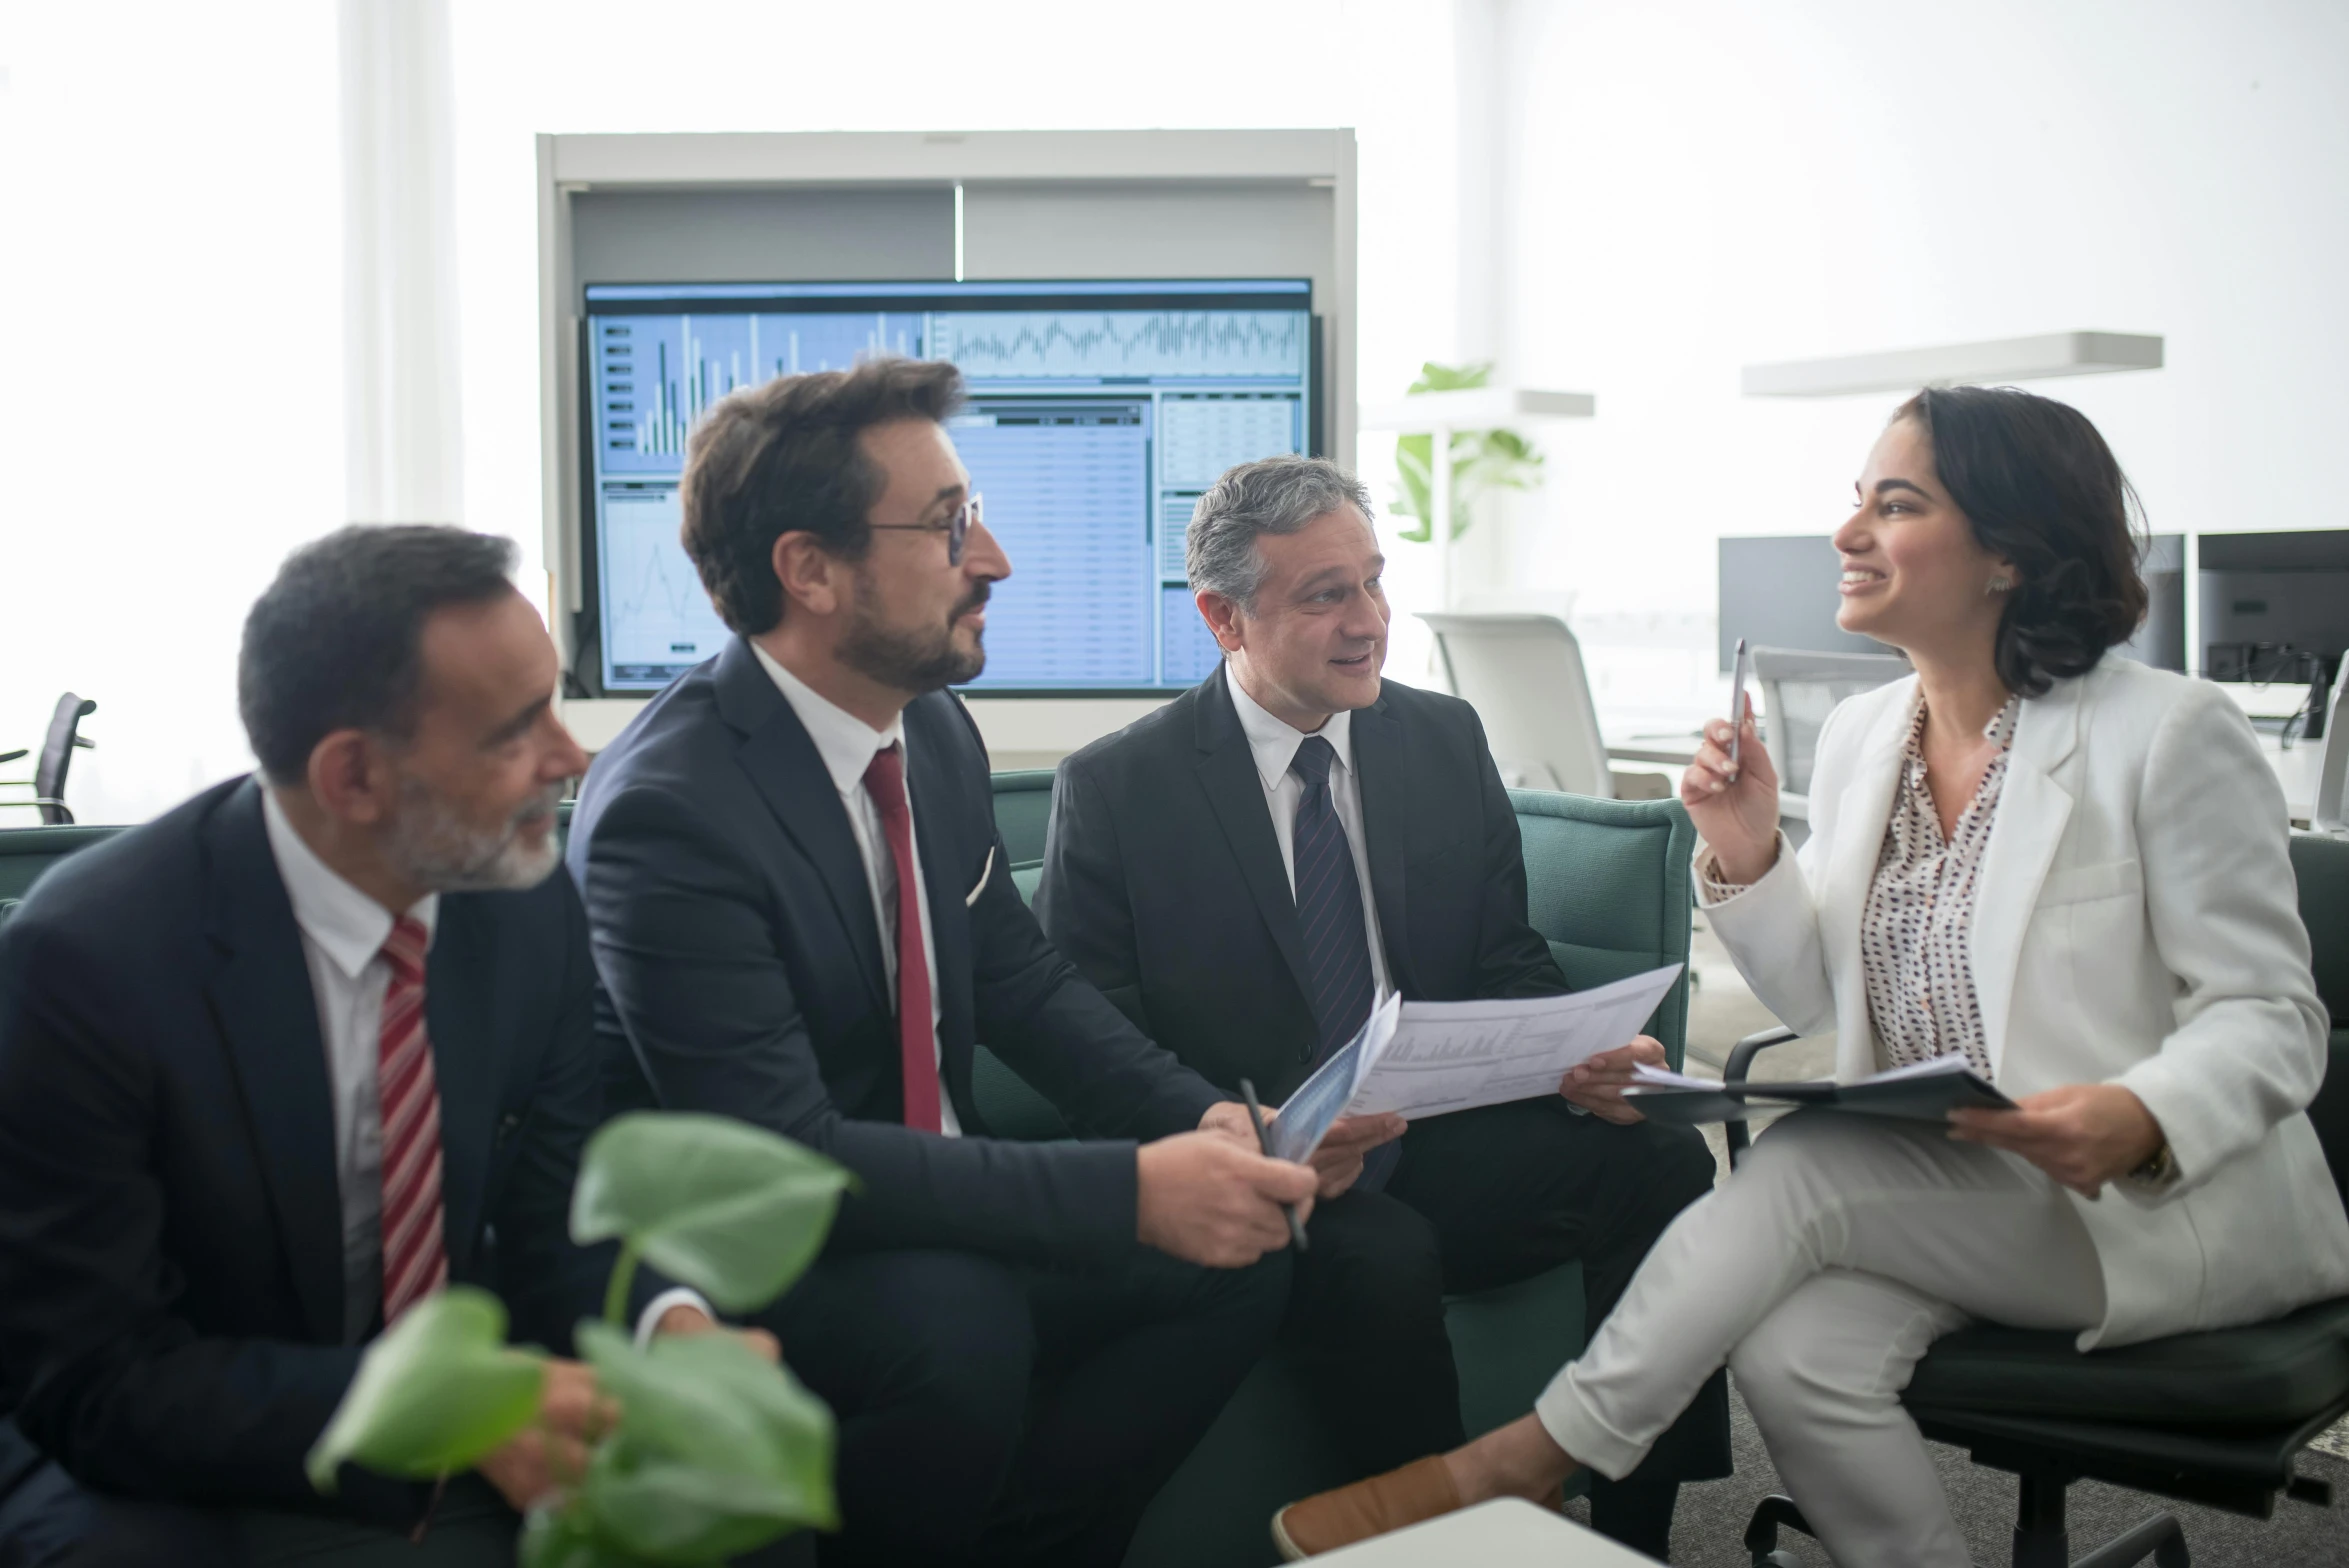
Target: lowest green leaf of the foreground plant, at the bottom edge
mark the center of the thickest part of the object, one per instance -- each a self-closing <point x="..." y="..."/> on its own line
<point x="711" y="1403"/>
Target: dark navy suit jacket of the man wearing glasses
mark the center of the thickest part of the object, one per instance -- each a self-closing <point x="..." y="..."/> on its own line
<point x="741" y="966"/>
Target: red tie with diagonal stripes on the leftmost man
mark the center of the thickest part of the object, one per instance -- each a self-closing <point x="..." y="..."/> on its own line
<point x="415" y="1262"/>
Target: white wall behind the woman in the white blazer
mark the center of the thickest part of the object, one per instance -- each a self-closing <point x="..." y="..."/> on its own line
<point x="1711" y="184"/>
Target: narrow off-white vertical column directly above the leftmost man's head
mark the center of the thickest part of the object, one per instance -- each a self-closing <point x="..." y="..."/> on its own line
<point x="403" y="426"/>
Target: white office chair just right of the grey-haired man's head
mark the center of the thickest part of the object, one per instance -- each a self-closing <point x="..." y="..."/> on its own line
<point x="1526" y="680"/>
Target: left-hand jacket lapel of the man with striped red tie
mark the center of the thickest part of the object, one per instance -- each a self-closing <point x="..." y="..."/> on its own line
<point x="269" y="1018"/>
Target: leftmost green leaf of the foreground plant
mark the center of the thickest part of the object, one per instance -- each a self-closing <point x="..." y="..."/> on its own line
<point x="433" y="1395"/>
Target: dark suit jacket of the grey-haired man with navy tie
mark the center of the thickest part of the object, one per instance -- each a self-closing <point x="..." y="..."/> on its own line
<point x="1164" y="881"/>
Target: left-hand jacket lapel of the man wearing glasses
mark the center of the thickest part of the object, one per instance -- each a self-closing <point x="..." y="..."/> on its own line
<point x="790" y="778"/>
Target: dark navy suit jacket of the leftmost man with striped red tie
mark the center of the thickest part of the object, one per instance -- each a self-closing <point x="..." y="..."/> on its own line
<point x="170" y="1217"/>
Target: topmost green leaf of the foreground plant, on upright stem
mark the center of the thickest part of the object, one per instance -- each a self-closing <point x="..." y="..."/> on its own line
<point x="713" y="1203"/>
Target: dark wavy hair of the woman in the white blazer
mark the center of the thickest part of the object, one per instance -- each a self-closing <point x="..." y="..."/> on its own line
<point x="2040" y="489"/>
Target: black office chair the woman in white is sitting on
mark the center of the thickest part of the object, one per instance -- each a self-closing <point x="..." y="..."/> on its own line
<point x="2214" y="1419"/>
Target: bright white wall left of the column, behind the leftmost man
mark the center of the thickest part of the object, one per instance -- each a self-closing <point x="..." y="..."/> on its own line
<point x="173" y="405"/>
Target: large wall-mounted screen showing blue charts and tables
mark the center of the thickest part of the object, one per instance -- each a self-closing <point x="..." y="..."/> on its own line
<point x="1098" y="414"/>
